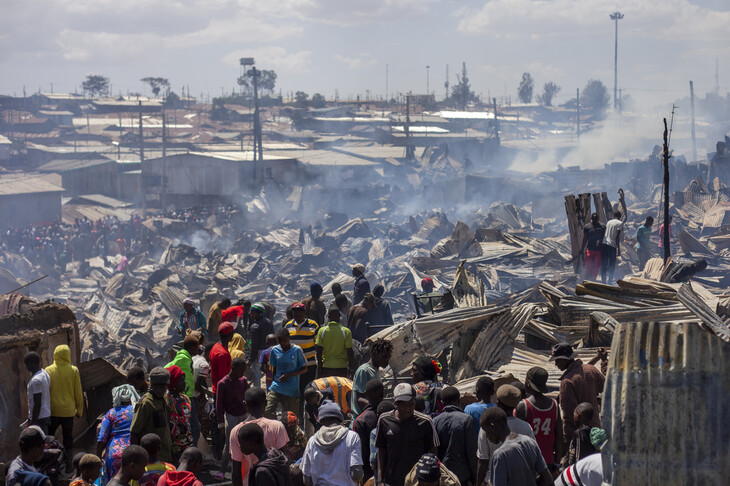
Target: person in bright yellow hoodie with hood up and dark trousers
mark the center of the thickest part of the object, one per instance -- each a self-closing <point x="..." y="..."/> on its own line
<point x="67" y="399"/>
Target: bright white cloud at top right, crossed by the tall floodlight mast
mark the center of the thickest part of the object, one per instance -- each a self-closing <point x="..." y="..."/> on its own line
<point x="539" y="19"/>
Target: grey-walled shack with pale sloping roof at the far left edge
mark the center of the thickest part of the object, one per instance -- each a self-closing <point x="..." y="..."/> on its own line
<point x="27" y="199"/>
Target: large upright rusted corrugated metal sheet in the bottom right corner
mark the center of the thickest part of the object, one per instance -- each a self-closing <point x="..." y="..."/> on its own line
<point x="665" y="406"/>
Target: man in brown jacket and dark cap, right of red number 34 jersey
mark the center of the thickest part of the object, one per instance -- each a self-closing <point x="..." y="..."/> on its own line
<point x="579" y="383"/>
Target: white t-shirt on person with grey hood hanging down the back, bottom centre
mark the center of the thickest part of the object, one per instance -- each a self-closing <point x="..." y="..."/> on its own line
<point x="333" y="468"/>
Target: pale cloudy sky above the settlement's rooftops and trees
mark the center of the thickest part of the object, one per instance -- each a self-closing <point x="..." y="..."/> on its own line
<point x="343" y="46"/>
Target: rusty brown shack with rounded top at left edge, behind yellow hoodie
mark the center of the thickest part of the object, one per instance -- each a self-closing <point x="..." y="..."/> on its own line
<point x="25" y="326"/>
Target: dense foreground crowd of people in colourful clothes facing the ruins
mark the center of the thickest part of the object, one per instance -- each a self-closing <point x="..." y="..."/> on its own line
<point x="310" y="404"/>
